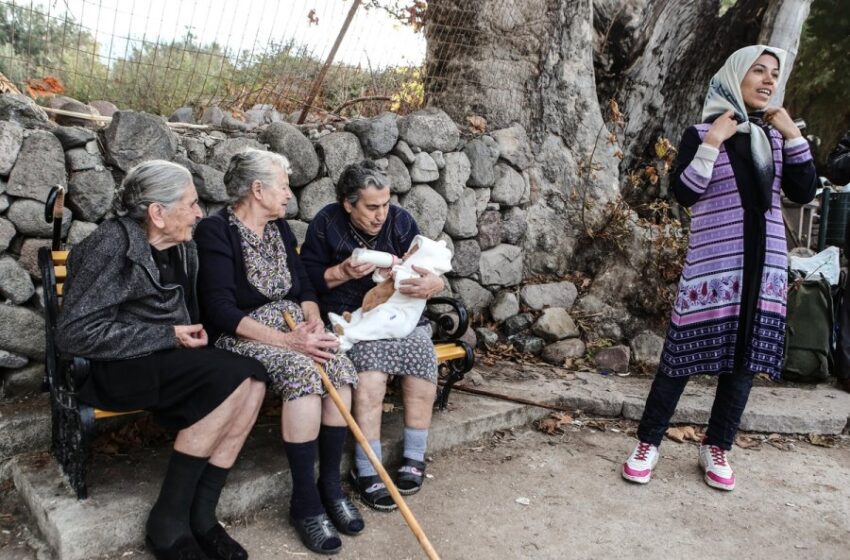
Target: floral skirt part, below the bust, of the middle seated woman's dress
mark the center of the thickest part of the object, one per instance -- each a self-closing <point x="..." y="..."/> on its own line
<point x="291" y="374"/>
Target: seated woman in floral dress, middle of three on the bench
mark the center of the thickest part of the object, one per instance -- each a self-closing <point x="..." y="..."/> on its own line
<point x="250" y="276"/>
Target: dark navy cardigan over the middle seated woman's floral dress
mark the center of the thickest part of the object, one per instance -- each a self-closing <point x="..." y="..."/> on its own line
<point x="225" y="294"/>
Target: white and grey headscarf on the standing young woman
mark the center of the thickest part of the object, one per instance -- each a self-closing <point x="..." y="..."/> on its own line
<point x="724" y="93"/>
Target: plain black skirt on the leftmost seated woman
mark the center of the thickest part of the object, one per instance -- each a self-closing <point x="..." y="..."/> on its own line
<point x="180" y="387"/>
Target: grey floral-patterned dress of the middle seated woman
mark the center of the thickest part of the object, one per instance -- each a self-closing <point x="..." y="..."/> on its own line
<point x="291" y="374"/>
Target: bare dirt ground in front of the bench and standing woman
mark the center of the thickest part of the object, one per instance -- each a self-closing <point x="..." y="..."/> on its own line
<point x="525" y="494"/>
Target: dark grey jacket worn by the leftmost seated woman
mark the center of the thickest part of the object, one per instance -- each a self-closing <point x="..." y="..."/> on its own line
<point x="114" y="307"/>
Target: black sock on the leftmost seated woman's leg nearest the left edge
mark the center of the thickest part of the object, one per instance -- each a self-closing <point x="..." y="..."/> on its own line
<point x="169" y="516"/>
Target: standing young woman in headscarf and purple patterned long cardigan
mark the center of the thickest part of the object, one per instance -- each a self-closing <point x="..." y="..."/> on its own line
<point x="729" y="315"/>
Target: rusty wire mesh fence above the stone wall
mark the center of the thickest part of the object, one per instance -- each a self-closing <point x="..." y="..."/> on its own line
<point x="159" y="55"/>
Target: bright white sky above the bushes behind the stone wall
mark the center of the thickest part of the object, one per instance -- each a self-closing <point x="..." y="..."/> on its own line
<point x="373" y="39"/>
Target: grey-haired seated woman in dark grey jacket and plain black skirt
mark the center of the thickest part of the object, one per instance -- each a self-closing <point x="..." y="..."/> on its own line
<point x="130" y="307"/>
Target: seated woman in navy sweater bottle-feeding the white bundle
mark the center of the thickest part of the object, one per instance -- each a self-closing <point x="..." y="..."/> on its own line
<point x="363" y="217"/>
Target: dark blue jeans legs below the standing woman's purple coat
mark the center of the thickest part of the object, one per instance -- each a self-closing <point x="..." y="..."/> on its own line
<point x="730" y="399"/>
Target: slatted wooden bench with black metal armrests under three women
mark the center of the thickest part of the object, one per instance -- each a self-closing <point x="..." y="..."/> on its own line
<point x="73" y="422"/>
